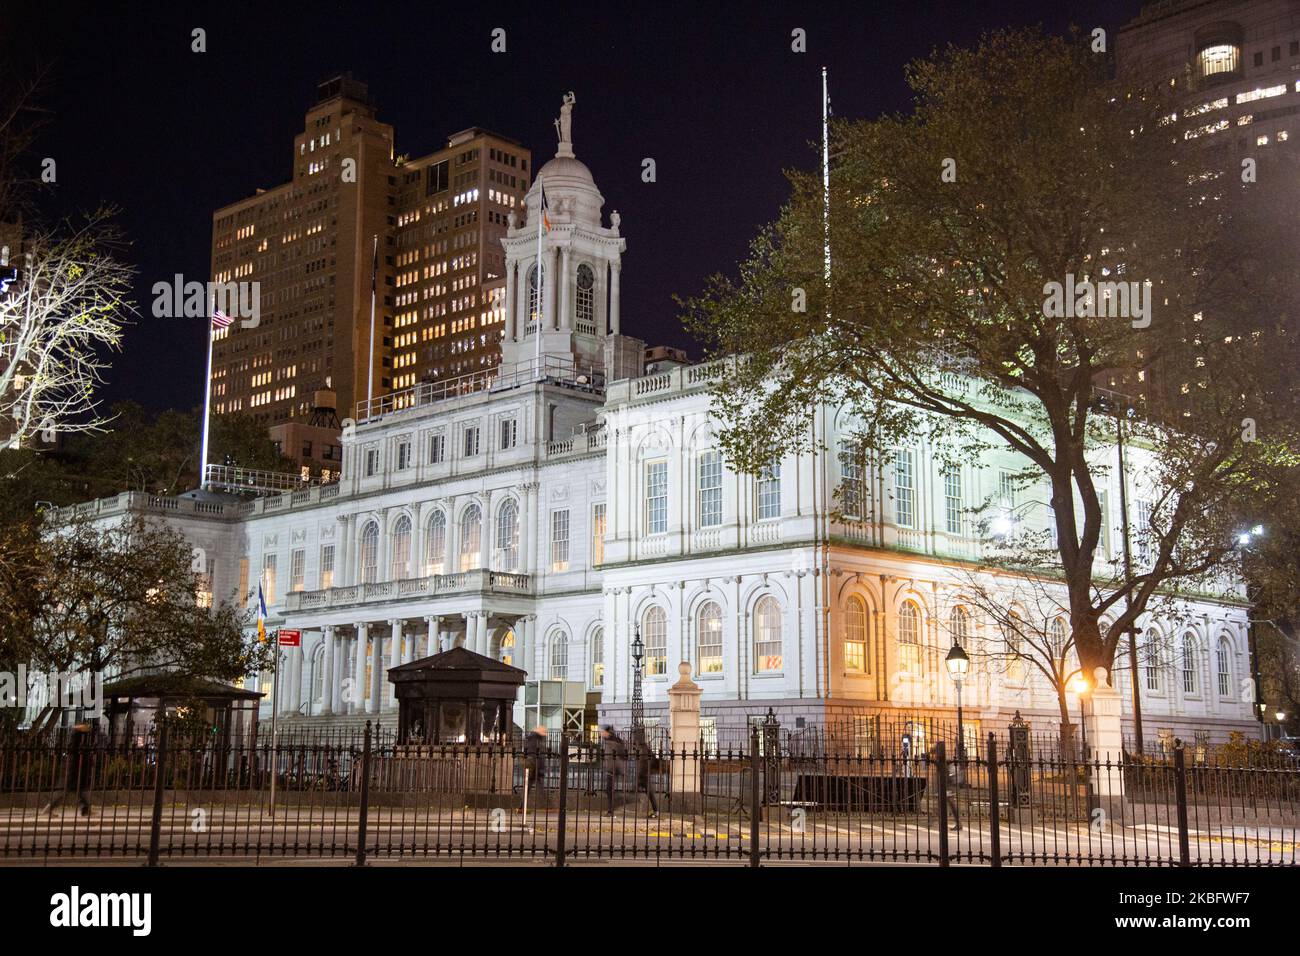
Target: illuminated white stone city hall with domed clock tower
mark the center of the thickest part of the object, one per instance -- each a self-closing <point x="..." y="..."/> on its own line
<point x="547" y="512"/>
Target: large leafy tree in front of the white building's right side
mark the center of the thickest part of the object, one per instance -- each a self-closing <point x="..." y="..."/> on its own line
<point x="935" y="322"/>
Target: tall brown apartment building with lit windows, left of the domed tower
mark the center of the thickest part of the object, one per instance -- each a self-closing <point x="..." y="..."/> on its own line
<point x="310" y="245"/>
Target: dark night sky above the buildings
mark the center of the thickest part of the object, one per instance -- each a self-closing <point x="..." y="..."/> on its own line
<point x="713" y="94"/>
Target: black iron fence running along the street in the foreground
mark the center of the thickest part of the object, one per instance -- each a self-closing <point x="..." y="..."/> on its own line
<point x="356" y="798"/>
